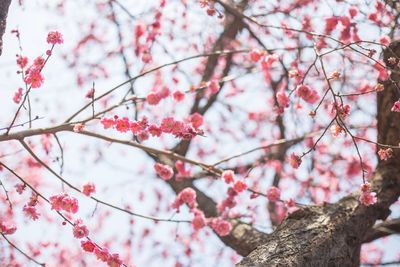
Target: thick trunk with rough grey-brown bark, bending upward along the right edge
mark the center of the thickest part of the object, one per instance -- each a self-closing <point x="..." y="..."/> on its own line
<point x="332" y="234"/>
